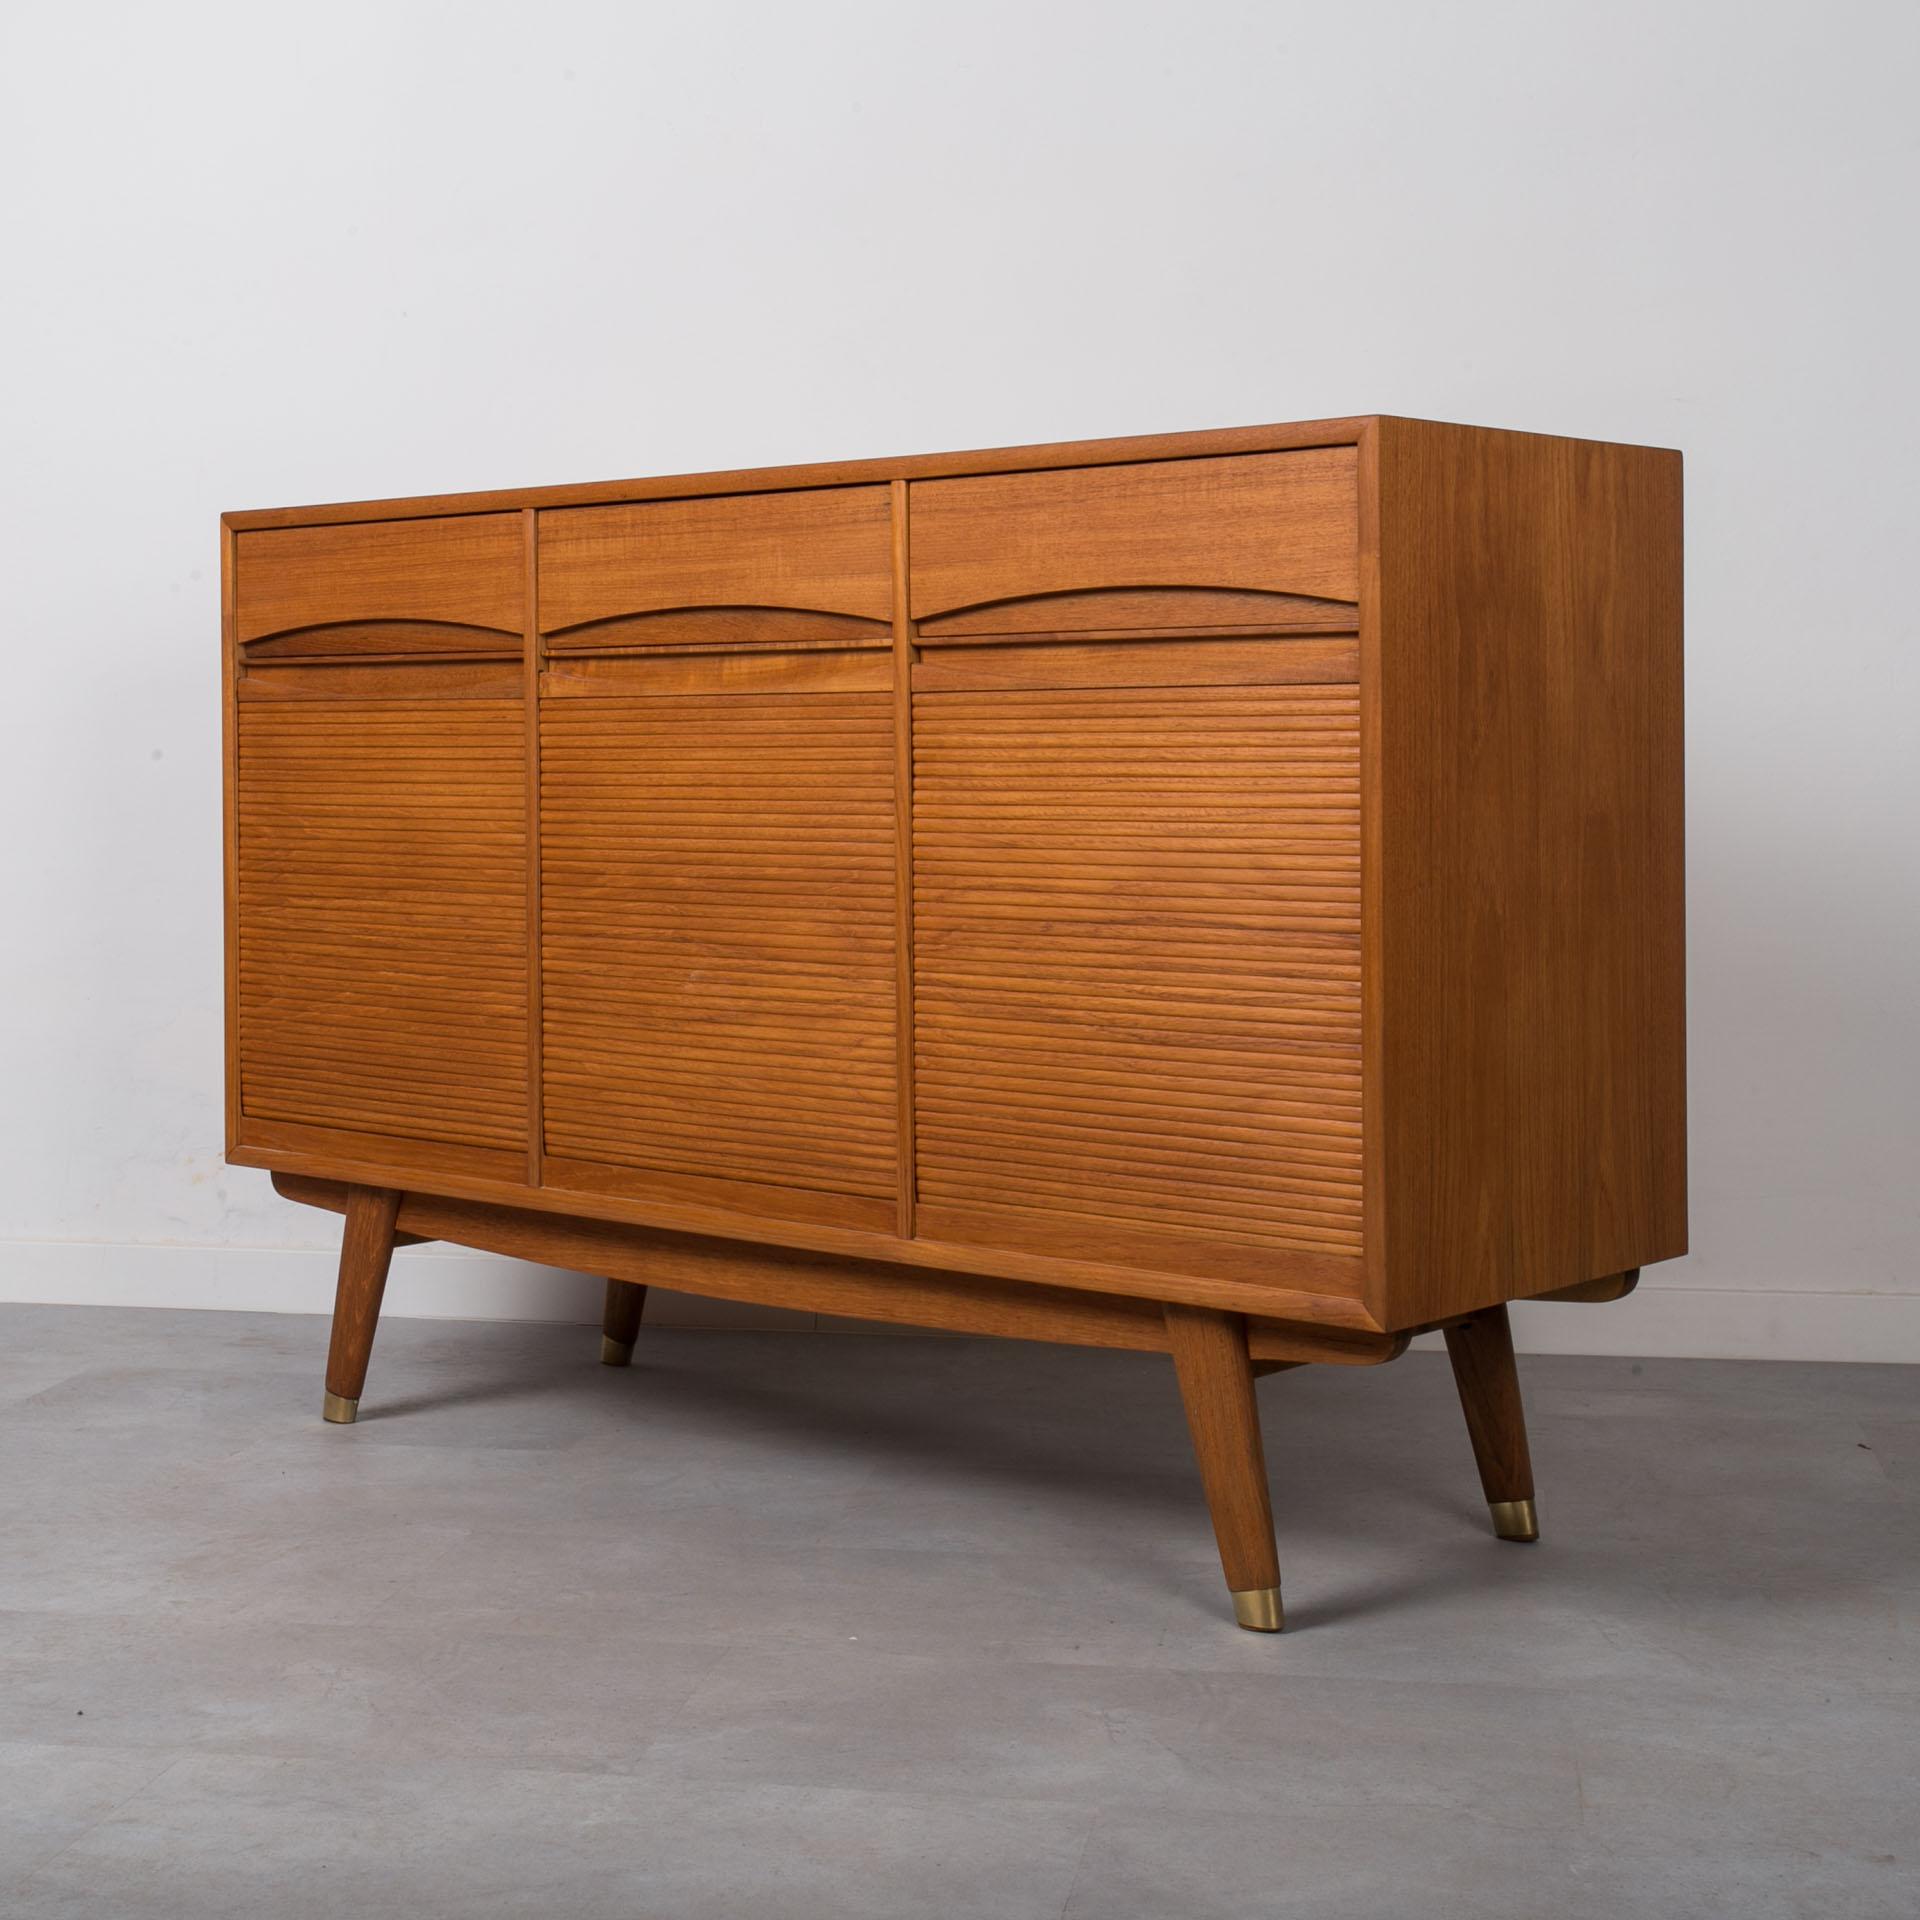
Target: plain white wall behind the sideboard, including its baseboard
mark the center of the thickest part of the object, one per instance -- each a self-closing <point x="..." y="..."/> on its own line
<point x="270" y="254"/>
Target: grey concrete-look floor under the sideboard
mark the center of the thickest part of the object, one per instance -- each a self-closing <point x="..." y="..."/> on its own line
<point x="848" y="1627"/>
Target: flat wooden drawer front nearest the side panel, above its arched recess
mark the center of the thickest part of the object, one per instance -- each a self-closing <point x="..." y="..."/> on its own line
<point x="1276" y="523"/>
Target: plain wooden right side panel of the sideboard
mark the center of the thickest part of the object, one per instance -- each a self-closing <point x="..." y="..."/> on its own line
<point x="1531" y="965"/>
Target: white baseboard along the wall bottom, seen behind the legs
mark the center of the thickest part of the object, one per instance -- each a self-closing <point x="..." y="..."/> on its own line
<point x="448" y="1284"/>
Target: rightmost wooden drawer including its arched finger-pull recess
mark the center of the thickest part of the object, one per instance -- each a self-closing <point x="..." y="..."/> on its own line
<point x="1255" y="542"/>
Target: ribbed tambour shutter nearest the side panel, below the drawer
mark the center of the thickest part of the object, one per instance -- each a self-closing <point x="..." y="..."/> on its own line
<point x="1138" y="963"/>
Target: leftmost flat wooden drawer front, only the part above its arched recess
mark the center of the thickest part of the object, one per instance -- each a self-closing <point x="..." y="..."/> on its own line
<point x="468" y="569"/>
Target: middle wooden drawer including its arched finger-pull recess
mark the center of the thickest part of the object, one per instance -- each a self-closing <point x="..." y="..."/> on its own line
<point x="746" y="569"/>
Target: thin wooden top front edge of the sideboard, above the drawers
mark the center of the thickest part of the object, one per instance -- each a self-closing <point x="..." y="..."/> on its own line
<point x="1274" y="439"/>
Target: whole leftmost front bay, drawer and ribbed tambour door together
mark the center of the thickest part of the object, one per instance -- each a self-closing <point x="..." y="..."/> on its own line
<point x="379" y="936"/>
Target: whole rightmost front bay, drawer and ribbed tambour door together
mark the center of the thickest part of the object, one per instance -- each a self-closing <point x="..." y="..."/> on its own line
<point x="1138" y="865"/>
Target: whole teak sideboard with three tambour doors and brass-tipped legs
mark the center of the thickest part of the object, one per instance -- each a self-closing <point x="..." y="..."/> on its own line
<point x="1216" y="896"/>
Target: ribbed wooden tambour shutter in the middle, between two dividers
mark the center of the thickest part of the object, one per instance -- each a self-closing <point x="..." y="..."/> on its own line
<point x="719" y="938"/>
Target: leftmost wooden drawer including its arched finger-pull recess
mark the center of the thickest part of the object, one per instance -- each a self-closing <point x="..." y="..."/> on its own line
<point x="456" y="585"/>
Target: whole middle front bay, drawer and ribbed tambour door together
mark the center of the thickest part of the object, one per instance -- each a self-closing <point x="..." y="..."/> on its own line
<point x="719" y="853"/>
